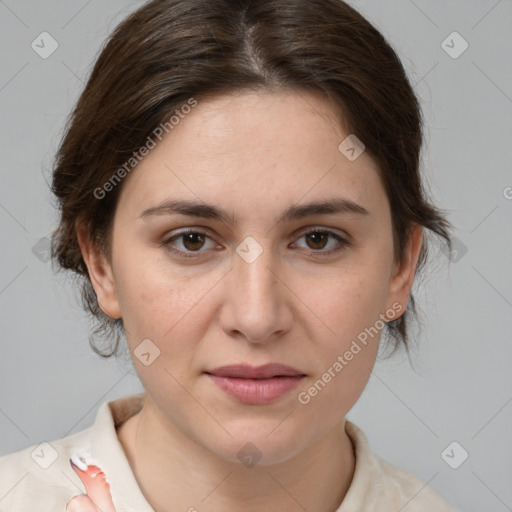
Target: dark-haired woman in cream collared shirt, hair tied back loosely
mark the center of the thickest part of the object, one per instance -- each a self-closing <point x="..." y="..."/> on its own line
<point x="240" y="194"/>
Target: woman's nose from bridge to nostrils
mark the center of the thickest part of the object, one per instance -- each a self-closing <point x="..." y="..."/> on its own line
<point x="257" y="302"/>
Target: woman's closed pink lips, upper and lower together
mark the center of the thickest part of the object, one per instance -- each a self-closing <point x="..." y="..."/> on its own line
<point x="256" y="385"/>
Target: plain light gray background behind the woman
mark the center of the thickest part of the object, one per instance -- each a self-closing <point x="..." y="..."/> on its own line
<point x="51" y="383"/>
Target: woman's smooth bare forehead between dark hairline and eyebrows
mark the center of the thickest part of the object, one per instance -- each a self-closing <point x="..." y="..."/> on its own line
<point x="254" y="150"/>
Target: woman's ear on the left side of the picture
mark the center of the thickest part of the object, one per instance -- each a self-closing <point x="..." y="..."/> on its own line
<point x="100" y="273"/>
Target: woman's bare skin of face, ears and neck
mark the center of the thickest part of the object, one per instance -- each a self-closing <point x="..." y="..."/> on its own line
<point x="249" y="152"/>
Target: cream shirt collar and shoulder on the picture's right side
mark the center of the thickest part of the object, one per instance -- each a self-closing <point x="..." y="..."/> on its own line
<point x="379" y="485"/>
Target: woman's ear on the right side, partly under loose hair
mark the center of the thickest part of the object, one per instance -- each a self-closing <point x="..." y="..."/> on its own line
<point x="401" y="282"/>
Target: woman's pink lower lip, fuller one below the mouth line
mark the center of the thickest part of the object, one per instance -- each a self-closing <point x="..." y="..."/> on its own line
<point x="256" y="391"/>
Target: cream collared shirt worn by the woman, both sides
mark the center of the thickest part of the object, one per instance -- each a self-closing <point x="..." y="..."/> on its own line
<point x="40" y="477"/>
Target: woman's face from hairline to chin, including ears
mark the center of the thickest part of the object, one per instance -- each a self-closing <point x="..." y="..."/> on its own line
<point x="255" y="288"/>
